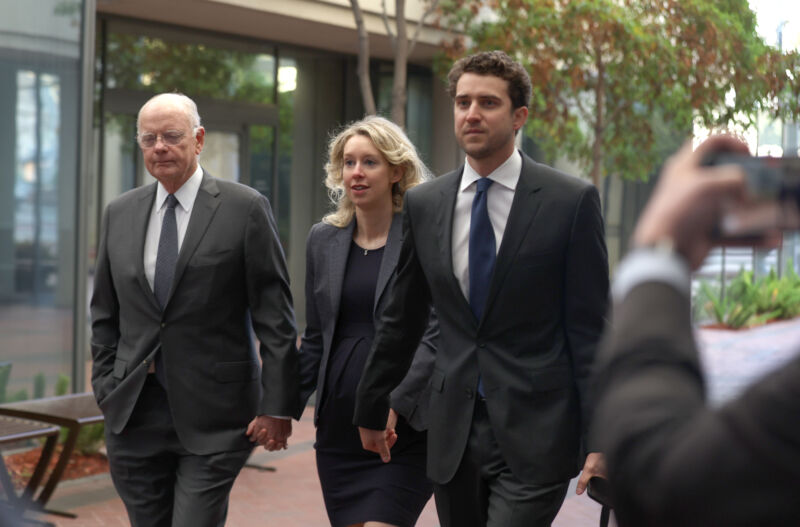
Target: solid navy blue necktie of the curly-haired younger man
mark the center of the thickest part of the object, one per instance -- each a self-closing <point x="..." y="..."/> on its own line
<point x="482" y="254"/>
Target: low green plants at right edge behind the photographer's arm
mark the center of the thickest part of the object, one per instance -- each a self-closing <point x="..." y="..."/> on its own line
<point x="749" y="302"/>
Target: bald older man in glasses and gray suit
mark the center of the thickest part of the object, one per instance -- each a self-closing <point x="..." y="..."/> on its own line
<point x="186" y="266"/>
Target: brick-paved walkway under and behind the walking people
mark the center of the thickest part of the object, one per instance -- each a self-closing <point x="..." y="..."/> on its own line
<point x="291" y="497"/>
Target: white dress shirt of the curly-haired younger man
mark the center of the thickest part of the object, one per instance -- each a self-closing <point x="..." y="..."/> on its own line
<point x="499" y="198"/>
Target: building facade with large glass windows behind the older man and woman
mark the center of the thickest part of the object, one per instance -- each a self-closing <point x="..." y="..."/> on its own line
<point x="272" y="79"/>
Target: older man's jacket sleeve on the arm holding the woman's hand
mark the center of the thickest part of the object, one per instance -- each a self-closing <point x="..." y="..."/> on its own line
<point x="270" y="302"/>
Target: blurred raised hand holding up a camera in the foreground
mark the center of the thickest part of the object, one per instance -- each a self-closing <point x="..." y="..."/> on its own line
<point x="689" y="200"/>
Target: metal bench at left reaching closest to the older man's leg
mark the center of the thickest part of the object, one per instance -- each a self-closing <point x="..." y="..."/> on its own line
<point x="67" y="411"/>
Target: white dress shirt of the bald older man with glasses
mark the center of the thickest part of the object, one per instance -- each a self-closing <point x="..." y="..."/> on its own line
<point x="183" y="210"/>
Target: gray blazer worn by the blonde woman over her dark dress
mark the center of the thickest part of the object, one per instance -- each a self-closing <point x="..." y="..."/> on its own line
<point x="326" y="259"/>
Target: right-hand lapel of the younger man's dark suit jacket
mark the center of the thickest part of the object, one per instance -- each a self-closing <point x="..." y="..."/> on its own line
<point x="524" y="207"/>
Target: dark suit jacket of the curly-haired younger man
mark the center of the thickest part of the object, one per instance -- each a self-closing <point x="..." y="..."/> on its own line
<point x="533" y="347"/>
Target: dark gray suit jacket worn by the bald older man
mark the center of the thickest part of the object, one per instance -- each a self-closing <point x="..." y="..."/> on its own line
<point x="230" y="272"/>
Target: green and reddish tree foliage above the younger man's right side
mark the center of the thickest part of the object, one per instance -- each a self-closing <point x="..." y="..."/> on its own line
<point x="602" y="69"/>
